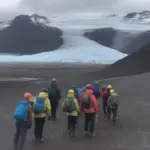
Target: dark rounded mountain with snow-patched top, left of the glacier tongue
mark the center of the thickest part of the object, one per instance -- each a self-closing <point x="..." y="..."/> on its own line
<point x="26" y="36"/>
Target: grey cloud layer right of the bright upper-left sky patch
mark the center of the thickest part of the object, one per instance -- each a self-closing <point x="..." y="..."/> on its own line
<point x="76" y="6"/>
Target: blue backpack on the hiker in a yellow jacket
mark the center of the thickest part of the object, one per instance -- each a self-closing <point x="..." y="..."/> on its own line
<point x="38" y="107"/>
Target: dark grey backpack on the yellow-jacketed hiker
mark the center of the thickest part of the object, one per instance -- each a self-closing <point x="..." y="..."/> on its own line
<point x="69" y="106"/>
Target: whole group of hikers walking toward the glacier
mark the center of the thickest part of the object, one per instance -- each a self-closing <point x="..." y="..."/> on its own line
<point x="78" y="100"/>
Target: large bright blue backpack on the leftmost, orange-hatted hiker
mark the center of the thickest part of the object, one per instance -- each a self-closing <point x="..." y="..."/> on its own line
<point x="21" y="111"/>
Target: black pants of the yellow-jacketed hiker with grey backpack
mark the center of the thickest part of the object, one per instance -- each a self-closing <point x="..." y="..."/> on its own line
<point x="72" y="120"/>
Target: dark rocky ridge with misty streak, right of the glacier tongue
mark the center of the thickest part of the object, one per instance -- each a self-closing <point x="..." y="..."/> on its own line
<point x="122" y="41"/>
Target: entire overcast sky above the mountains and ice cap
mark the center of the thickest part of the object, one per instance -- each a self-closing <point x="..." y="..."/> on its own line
<point x="9" y="8"/>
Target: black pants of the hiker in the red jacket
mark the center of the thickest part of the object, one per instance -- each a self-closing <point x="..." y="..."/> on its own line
<point x="89" y="122"/>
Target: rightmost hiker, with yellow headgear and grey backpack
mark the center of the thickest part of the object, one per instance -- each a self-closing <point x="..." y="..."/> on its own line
<point x="113" y="103"/>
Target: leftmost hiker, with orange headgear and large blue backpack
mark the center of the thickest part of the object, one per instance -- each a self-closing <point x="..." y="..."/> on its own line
<point x="23" y="120"/>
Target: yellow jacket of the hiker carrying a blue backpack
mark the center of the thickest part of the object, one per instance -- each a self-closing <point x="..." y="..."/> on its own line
<point x="47" y="105"/>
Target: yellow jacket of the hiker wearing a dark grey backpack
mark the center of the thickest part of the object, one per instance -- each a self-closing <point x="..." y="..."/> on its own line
<point x="77" y="108"/>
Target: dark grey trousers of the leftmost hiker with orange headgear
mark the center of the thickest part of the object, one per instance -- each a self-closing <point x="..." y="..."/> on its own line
<point x="20" y="135"/>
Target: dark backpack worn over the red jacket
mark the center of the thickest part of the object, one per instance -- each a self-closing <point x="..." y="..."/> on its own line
<point x="86" y="101"/>
